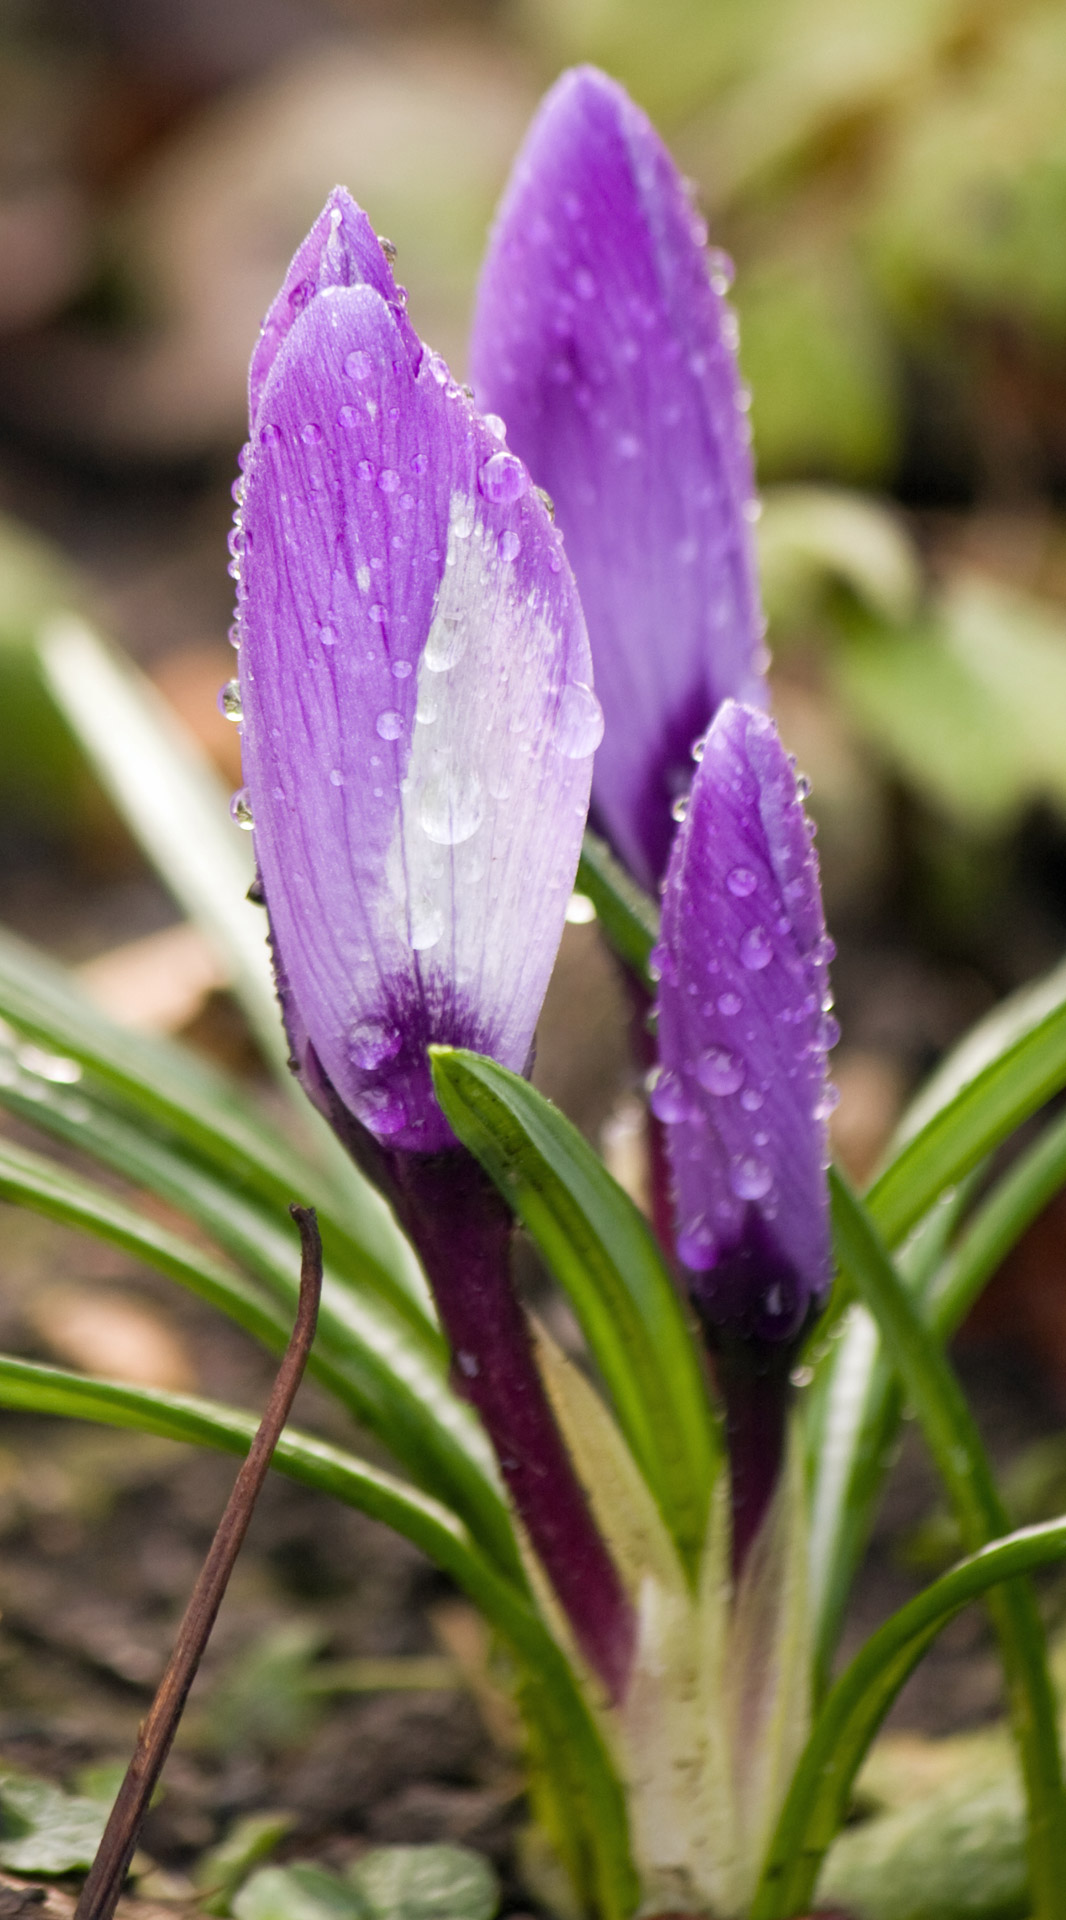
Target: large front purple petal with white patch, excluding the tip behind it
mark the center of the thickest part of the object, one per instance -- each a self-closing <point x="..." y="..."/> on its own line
<point x="418" y="713"/>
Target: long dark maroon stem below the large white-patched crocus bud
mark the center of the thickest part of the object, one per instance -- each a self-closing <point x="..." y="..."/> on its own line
<point x="464" y="1236"/>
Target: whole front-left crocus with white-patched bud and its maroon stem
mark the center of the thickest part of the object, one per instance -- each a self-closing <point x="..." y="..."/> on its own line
<point x="420" y="723"/>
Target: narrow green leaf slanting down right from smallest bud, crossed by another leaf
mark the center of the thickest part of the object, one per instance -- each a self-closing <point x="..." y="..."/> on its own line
<point x="957" y="1449"/>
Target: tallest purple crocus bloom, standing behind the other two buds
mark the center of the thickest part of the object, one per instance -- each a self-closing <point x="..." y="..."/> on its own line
<point x="604" y="341"/>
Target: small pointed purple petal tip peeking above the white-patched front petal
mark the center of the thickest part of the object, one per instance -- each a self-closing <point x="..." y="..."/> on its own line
<point x="341" y="251"/>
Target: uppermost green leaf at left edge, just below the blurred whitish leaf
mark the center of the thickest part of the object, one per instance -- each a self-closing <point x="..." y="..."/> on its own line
<point x="201" y="1109"/>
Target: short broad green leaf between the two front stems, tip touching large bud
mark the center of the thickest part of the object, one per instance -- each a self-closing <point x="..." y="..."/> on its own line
<point x="604" y="1255"/>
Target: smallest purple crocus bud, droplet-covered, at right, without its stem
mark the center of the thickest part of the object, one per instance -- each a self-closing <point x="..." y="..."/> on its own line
<point x="744" y="1030"/>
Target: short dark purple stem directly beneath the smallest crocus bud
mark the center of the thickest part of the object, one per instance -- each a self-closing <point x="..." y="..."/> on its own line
<point x="754" y="1383"/>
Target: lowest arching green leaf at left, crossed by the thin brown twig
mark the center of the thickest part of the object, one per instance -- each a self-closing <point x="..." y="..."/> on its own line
<point x="550" y="1689"/>
